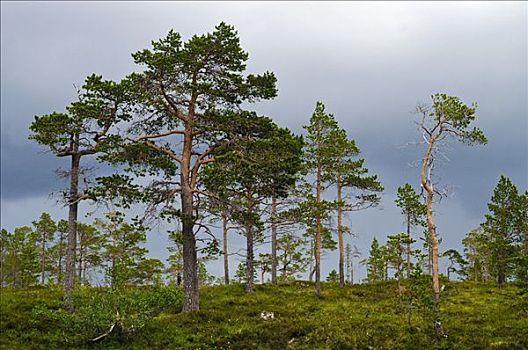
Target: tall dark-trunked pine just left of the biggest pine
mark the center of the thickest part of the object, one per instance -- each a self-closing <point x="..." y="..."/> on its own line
<point x="81" y="131"/>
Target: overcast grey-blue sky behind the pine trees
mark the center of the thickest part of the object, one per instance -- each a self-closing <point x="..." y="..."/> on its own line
<point x="370" y="63"/>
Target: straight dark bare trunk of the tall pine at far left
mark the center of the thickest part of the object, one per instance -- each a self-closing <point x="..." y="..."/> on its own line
<point x="72" y="231"/>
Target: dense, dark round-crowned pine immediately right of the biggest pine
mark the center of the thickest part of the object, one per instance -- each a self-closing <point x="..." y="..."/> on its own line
<point x="247" y="173"/>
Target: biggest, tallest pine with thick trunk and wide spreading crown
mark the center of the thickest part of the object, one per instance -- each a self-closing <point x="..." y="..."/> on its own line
<point x="188" y="98"/>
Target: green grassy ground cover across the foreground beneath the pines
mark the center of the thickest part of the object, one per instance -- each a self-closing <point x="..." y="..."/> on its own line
<point x="474" y="316"/>
